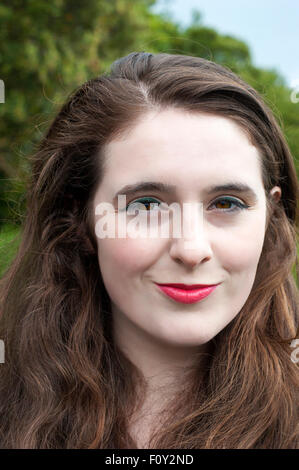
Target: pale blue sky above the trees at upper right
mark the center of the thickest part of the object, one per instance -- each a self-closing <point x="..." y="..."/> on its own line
<point x="269" y="27"/>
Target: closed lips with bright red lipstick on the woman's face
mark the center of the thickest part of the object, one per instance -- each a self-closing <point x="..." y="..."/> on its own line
<point x="187" y="294"/>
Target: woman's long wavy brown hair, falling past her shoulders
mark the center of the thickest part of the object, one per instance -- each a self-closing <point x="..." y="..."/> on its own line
<point x="64" y="383"/>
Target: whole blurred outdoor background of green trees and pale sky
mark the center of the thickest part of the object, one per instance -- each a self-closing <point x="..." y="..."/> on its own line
<point x="49" y="48"/>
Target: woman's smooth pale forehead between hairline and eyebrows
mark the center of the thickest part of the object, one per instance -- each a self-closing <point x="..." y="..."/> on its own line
<point x="180" y="145"/>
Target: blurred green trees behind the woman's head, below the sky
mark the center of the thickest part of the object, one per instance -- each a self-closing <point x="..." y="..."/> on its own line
<point x="50" y="48"/>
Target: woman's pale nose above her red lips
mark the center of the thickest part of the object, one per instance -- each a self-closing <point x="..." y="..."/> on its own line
<point x="193" y="247"/>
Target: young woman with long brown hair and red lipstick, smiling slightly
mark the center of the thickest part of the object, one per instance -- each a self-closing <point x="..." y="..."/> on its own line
<point x="147" y="341"/>
